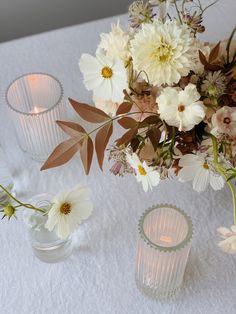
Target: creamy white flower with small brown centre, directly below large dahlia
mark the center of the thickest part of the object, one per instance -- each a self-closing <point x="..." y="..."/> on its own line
<point x="181" y="108"/>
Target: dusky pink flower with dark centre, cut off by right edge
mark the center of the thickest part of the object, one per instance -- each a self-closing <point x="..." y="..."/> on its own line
<point x="224" y="120"/>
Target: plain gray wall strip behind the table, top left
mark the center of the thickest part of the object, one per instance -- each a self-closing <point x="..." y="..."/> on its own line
<point x="20" y="18"/>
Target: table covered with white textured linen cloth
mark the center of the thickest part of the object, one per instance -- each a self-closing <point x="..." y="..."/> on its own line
<point x="99" y="276"/>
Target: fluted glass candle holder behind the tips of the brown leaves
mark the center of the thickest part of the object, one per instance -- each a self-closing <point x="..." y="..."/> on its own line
<point x="36" y="102"/>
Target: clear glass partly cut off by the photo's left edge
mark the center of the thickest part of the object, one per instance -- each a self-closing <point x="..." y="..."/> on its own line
<point x="5" y="179"/>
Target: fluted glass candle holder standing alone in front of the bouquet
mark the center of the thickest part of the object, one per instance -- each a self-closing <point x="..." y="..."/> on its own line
<point x="162" y="250"/>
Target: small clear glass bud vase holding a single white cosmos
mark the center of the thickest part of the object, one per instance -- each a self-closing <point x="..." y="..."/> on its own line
<point x="45" y="244"/>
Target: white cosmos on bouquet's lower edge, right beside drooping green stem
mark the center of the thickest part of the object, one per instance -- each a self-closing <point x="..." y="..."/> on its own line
<point x="198" y="168"/>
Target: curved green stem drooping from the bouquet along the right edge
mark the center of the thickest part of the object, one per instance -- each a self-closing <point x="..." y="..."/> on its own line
<point x="221" y="171"/>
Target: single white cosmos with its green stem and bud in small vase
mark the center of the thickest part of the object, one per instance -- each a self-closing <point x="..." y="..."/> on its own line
<point x="66" y="212"/>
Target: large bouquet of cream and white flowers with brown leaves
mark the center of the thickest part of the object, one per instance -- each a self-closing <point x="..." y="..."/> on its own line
<point x="173" y="95"/>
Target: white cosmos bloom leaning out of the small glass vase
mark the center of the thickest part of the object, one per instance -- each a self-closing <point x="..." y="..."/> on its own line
<point x="68" y="211"/>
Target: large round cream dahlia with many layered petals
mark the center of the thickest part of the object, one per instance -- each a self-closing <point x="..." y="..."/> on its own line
<point x="164" y="51"/>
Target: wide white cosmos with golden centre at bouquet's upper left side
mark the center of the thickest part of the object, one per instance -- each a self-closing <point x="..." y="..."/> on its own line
<point x="106" y="77"/>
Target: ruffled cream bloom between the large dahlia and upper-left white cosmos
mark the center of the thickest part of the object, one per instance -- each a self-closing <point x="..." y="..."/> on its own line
<point x="116" y="43"/>
